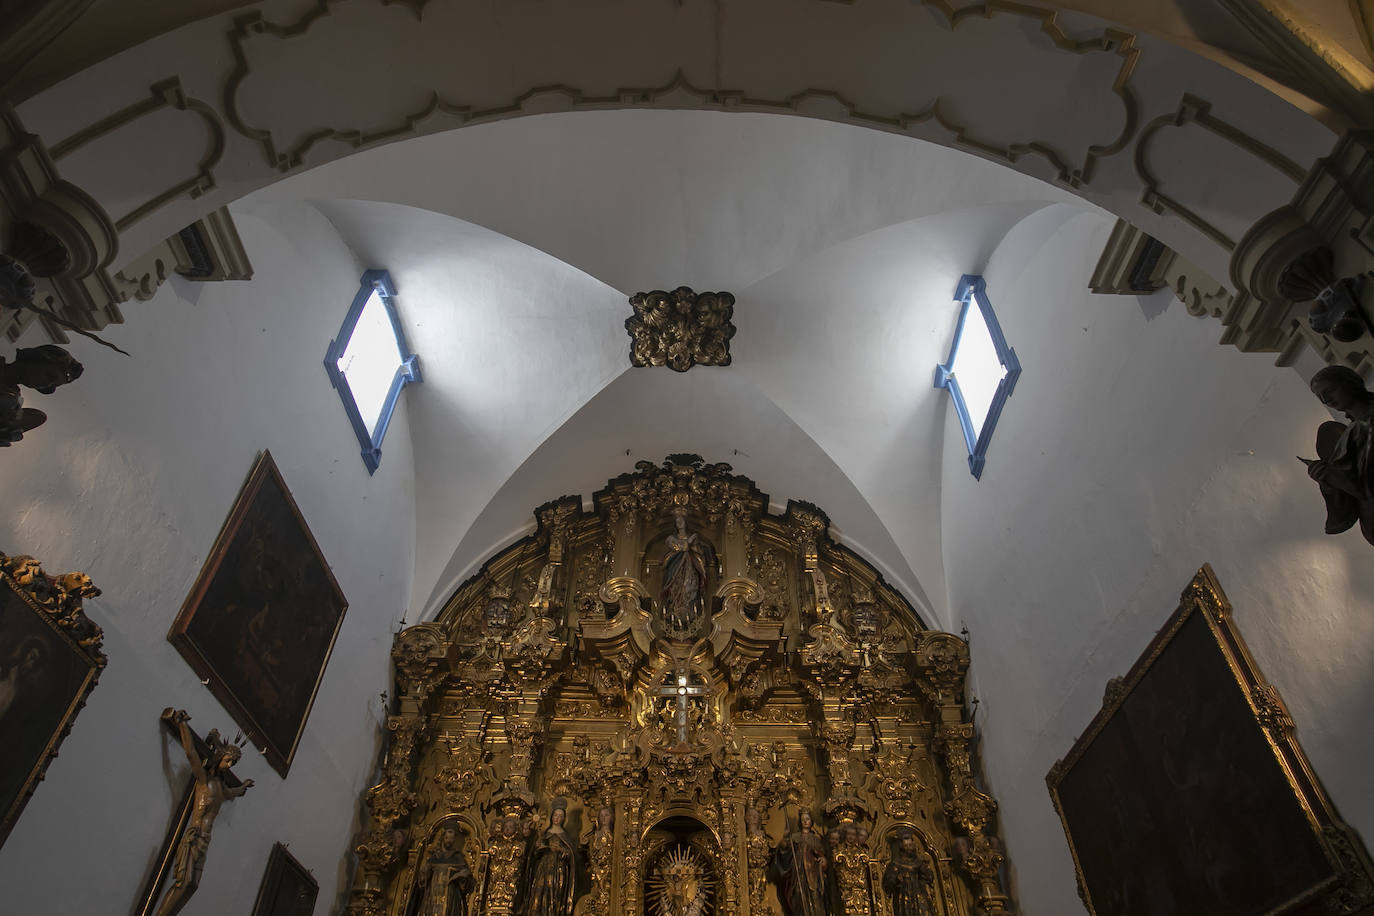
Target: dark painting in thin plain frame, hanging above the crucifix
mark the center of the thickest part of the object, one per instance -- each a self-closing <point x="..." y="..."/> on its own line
<point x="262" y="620"/>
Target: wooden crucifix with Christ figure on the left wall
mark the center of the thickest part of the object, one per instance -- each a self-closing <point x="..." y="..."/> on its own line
<point x="189" y="837"/>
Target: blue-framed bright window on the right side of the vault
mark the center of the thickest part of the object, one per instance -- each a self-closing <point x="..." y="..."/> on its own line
<point x="990" y="370"/>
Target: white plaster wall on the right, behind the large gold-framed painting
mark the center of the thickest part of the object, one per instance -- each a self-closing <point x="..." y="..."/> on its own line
<point x="1133" y="453"/>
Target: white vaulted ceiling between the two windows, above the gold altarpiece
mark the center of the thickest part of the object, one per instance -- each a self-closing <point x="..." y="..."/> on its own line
<point x="517" y="245"/>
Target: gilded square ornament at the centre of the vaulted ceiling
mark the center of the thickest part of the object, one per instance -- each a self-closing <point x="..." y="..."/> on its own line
<point x="681" y="329"/>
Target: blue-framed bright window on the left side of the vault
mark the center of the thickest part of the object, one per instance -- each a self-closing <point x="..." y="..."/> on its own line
<point x="369" y="363"/>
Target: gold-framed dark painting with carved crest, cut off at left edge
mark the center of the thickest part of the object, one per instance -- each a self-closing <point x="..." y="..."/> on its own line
<point x="50" y="661"/>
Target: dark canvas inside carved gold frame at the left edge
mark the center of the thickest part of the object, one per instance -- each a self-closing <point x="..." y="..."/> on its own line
<point x="45" y="679"/>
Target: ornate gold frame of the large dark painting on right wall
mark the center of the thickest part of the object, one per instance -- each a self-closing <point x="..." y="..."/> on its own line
<point x="1350" y="889"/>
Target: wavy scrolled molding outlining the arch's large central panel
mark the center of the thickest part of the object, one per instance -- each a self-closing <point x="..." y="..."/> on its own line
<point x="1074" y="170"/>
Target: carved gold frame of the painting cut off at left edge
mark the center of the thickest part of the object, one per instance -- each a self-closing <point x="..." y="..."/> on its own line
<point x="57" y="602"/>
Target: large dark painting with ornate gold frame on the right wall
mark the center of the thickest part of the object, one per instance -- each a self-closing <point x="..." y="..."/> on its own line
<point x="1189" y="793"/>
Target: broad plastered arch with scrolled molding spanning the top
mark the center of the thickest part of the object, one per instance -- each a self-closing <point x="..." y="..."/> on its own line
<point x="1023" y="104"/>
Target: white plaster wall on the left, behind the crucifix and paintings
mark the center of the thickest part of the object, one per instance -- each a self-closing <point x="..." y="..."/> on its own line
<point x="131" y="481"/>
